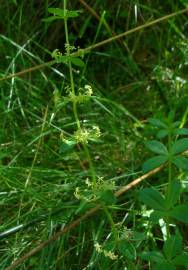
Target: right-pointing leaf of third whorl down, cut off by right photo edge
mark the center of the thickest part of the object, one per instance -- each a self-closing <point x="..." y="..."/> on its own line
<point x="180" y="213"/>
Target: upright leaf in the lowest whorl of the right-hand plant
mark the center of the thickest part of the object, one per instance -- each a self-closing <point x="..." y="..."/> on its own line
<point x="172" y="246"/>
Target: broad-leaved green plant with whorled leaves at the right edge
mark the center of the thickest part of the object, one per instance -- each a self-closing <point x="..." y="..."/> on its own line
<point x="167" y="207"/>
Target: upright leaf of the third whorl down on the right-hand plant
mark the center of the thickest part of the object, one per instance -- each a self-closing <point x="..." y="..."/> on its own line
<point x="174" y="194"/>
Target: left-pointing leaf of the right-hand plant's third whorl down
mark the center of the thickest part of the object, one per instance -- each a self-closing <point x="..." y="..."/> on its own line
<point x="152" y="198"/>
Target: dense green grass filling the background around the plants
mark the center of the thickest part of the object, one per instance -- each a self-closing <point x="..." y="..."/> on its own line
<point x="135" y="77"/>
